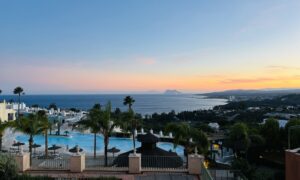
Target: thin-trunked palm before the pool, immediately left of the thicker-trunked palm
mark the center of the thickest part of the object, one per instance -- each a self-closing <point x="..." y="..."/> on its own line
<point x="90" y="122"/>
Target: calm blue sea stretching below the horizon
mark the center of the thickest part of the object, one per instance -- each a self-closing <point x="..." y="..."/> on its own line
<point x="144" y="103"/>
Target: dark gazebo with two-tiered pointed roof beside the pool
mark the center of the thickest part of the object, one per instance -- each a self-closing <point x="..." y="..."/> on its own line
<point x="152" y="156"/>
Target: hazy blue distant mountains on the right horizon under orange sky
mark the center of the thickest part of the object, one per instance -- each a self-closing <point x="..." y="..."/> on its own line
<point x="252" y="94"/>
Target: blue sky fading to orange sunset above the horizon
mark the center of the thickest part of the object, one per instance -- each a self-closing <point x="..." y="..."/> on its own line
<point x="115" y="46"/>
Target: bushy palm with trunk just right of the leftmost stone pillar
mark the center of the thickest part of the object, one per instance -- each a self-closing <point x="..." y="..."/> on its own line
<point x="31" y="125"/>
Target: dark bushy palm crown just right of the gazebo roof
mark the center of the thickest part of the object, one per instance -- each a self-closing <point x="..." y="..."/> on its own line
<point x="188" y="136"/>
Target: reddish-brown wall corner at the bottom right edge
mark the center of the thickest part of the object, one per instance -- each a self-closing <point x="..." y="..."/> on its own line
<point x="292" y="164"/>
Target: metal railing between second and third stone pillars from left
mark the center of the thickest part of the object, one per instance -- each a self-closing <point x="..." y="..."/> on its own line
<point x="113" y="163"/>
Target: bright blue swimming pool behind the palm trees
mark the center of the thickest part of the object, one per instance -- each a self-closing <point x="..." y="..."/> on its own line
<point x="86" y="141"/>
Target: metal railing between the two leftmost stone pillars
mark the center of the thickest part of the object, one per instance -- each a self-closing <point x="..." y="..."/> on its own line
<point x="50" y="164"/>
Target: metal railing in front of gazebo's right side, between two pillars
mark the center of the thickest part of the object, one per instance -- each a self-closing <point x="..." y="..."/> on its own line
<point x="164" y="163"/>
